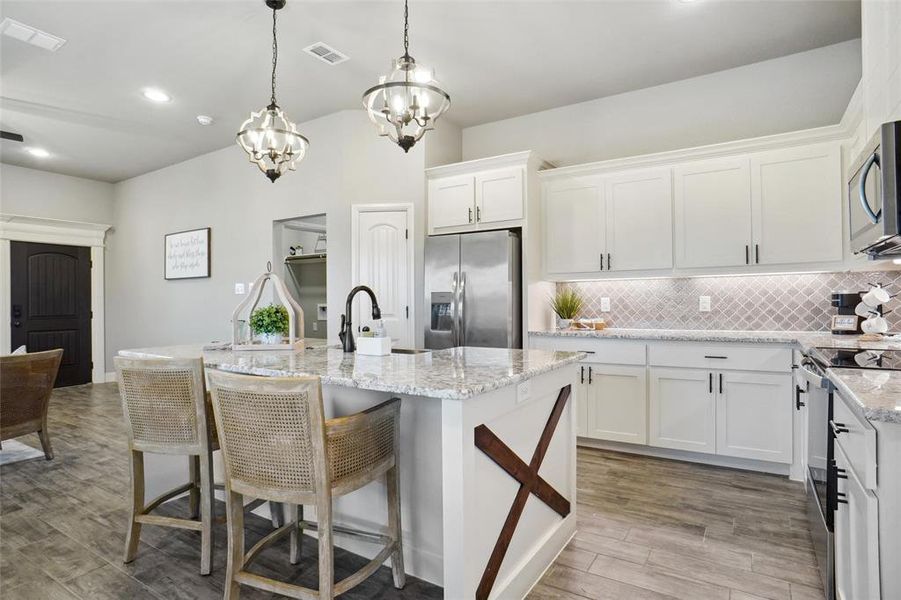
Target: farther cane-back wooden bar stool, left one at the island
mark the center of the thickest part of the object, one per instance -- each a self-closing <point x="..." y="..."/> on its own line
<point x="165" y="408"/>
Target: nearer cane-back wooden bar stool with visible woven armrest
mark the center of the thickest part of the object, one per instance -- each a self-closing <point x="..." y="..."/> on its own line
<point x="277" y="446"/>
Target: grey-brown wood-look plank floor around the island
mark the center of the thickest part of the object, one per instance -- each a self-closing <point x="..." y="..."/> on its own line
<point x="648" y="529"/>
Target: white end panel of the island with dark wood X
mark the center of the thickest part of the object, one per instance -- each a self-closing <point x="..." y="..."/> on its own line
<point x="499" y="534"/>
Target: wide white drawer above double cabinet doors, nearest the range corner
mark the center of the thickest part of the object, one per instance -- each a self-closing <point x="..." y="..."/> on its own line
<point x="720" y="356"/>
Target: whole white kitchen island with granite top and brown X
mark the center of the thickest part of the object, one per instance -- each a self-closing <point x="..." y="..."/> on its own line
<point x="468" y="524"/>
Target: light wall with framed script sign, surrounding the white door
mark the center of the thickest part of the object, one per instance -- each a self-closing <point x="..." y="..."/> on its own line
<point x="347" y="163"/>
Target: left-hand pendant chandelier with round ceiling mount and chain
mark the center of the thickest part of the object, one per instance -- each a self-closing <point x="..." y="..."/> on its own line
<point x="268" y="137"/>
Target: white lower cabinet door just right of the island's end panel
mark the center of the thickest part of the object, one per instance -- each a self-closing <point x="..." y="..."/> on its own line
<point x="617" y="403"/>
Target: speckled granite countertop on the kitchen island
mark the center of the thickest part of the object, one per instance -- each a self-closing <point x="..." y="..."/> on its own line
<point x="452" y="374"/>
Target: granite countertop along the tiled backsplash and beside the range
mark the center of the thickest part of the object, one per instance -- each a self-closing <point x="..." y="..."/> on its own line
<point x="875" y="394"/>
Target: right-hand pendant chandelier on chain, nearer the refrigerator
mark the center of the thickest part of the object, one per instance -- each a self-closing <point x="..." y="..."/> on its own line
<point x="406" y="103"/>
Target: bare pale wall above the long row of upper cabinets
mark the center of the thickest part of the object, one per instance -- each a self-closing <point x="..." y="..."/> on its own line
<point x="799" y="91"/>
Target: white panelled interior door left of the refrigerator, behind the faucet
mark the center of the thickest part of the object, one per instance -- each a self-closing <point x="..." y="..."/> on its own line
<point x="383" y="260"/>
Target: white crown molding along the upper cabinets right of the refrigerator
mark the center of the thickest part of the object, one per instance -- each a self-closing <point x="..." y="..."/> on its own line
<point x="829" y="133"/>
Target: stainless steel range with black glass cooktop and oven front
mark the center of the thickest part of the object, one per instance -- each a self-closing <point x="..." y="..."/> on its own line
<point x="822" y="473"/>
